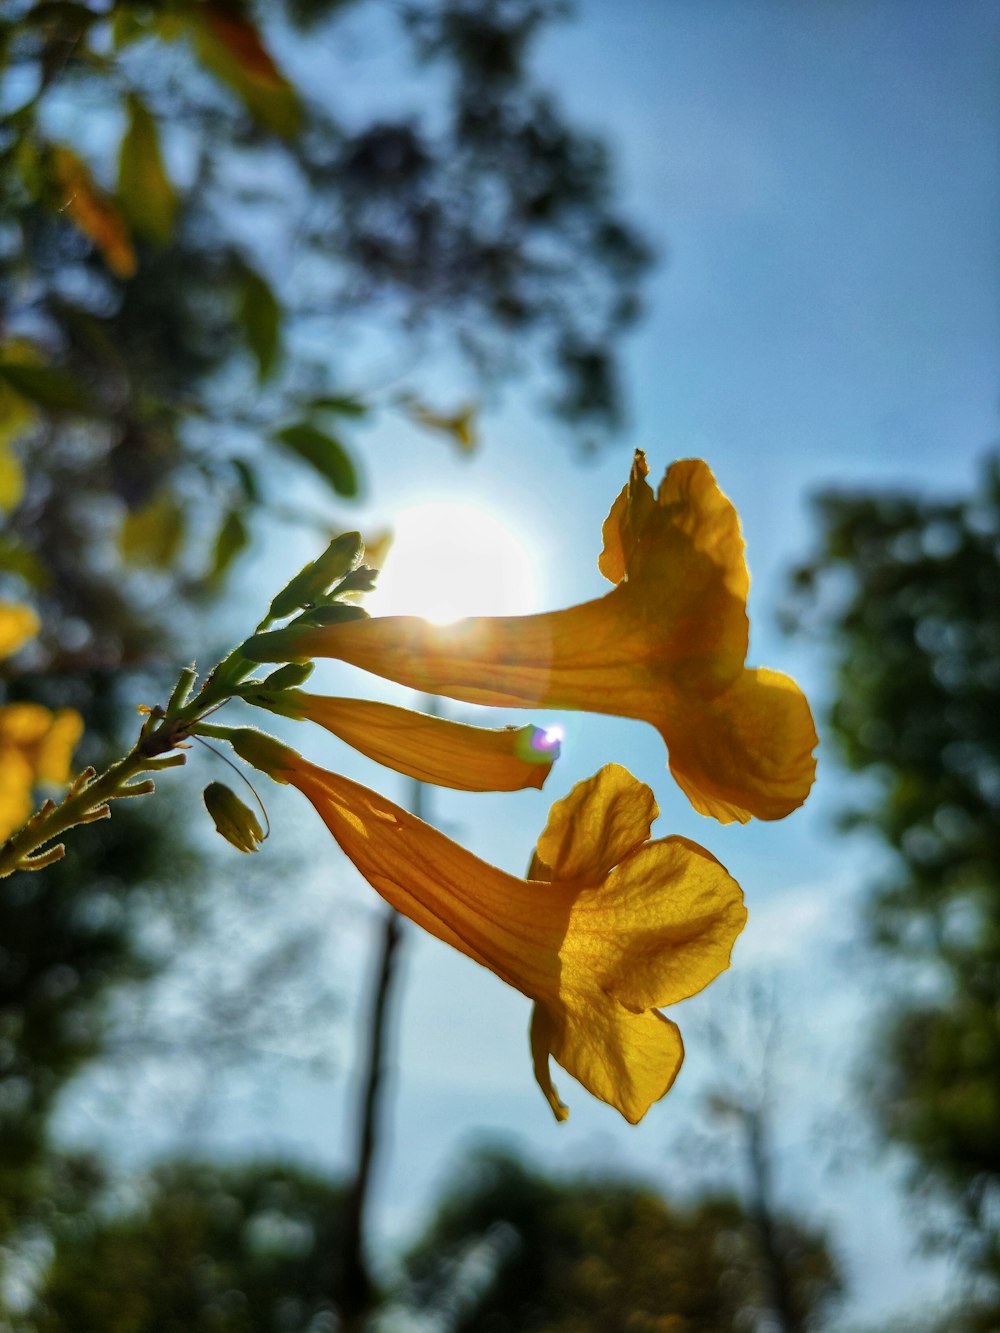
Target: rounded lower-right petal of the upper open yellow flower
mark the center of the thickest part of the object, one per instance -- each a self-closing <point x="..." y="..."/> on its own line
<point x="747" y="752"/>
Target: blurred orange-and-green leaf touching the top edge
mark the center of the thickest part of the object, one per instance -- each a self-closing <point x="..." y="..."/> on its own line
<point x="230" y="47"/>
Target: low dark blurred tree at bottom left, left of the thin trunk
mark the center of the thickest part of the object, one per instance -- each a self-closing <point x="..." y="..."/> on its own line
<point x="207" y="1250"/>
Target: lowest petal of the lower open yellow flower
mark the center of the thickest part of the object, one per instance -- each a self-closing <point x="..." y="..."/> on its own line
<point x="629" y="1060"/>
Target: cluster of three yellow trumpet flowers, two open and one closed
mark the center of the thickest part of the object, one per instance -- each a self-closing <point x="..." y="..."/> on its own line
<point x="609" y="926"/>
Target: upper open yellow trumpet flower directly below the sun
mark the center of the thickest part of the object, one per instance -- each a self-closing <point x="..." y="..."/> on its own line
<point x="667" y="646"/>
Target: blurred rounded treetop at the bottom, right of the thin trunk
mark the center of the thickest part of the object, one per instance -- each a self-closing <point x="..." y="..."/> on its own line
<point x="513" y="1251"/>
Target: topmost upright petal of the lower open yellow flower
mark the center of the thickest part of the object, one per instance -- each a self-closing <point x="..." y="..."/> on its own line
<point x="597" y="826"/>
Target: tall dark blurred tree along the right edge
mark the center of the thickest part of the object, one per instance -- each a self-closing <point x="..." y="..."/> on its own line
<point x="906" y="593"/>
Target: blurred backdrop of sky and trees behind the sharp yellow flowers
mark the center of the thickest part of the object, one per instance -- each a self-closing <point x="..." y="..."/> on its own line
<point x="270" y="273"/>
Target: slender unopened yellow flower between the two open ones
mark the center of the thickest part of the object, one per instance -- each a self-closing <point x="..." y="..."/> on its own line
<point x="433" y="750"/>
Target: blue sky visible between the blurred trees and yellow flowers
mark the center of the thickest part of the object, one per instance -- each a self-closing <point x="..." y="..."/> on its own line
<point x="822" y="181"/>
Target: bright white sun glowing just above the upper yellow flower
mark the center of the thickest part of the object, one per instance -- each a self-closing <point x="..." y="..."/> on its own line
<point x="451" y="561"/>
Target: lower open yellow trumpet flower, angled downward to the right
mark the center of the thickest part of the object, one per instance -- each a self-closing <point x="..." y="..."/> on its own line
<point x="609" y="927"/>
